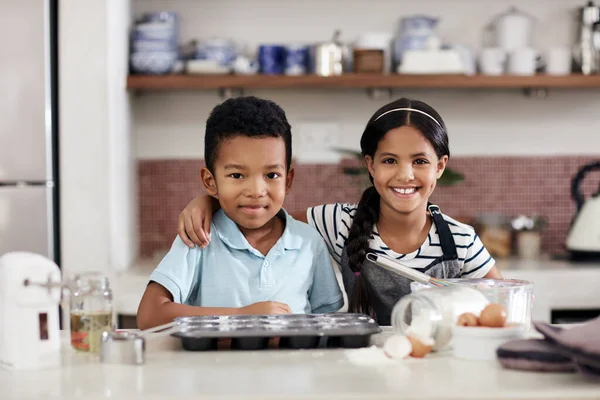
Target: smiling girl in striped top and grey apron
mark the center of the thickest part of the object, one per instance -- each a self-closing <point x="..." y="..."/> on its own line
<point x="405" y="147"/>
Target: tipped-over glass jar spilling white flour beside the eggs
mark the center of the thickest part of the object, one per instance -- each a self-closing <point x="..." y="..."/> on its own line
<point x="432" y="312"/>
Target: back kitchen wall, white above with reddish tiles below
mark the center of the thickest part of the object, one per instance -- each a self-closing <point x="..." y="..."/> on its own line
<point x="518" y="153"/>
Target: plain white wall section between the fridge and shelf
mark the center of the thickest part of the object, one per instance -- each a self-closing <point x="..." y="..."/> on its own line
<point x="98" y="215"/>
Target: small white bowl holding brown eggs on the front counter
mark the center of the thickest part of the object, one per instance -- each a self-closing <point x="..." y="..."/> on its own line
<point x="480" y="342"/>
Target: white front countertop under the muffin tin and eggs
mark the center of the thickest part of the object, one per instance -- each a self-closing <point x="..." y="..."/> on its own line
<point x="171" y="373"/>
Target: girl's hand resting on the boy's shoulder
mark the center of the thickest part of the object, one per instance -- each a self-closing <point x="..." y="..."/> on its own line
<point x="193" y="226"/>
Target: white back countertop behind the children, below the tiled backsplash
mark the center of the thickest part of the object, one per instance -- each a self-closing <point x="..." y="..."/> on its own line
<point x="558" y="284"/>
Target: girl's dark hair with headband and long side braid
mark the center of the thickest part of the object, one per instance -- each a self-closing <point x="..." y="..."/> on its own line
<point x="367" y="213"/>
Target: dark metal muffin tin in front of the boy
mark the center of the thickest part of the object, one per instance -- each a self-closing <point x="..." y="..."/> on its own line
<point x="295" y="331"/>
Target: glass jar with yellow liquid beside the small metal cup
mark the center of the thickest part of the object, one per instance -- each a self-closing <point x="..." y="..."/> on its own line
<point x="91" y="309"/>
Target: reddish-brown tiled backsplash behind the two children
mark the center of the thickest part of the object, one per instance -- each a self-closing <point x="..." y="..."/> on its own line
<point x="508" y="185"/>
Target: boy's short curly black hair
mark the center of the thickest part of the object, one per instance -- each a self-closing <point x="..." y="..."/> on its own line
<point x="245" y="116"/>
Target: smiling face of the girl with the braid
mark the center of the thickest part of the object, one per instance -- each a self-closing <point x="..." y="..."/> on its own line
<point x="405" y="169"/>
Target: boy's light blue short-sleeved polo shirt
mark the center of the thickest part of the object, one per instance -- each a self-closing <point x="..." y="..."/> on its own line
<point x="229" y="272"/>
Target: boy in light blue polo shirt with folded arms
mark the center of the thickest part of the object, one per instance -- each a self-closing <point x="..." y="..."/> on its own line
<point x="259" y="260"/>
